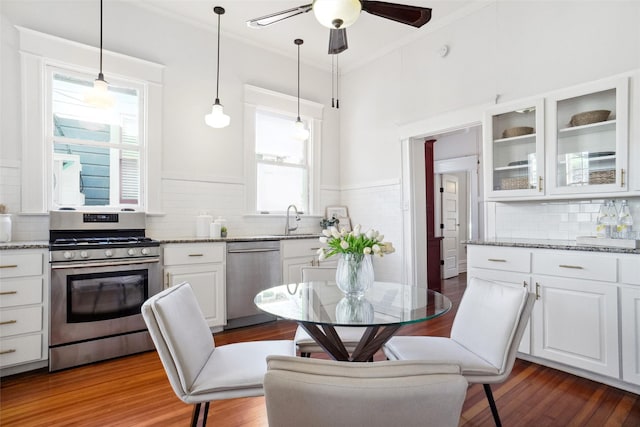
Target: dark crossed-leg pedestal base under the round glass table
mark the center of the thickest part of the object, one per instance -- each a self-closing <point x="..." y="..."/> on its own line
<point x="372" y="340"/>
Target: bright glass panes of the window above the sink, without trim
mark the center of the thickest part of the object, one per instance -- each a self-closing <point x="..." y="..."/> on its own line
<point x="282" y="168"/>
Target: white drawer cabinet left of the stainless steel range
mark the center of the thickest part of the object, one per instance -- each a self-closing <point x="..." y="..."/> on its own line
<point x="24" y="290"/>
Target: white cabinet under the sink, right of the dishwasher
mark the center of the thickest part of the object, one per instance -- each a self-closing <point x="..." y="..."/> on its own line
<point x="297" y="253"/>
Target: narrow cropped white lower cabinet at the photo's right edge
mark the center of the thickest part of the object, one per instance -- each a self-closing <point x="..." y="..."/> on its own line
<point x="630" y="317"/>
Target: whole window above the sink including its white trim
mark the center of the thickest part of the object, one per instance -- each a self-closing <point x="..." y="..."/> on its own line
<point x="284" y="169"/>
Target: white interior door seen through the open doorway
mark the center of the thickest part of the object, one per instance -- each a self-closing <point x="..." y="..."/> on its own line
<point x="451" y="224"/>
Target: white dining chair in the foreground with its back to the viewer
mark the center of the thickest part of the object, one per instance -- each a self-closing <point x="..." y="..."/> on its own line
<point x="326" y="393"/>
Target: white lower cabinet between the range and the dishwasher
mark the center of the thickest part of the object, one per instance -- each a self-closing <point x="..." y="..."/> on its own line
<point x="203" y="266"/>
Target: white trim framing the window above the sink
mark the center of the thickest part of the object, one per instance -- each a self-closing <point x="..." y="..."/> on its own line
<point x="256" y="98"/>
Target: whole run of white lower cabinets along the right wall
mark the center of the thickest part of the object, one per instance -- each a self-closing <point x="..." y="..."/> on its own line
<point x="587" y="310"/>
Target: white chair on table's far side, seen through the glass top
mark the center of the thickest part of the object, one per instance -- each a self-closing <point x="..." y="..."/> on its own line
<point x="350" y="336"/>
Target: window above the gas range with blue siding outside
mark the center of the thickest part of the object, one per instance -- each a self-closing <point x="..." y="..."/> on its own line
<point x="97" y="153"/>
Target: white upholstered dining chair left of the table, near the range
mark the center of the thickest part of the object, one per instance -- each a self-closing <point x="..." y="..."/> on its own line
<point x="198" y="370"/>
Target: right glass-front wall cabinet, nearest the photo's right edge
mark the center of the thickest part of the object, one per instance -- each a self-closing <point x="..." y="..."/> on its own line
<point x="587" y="143"/>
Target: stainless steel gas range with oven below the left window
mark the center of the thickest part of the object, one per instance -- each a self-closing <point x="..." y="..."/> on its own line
<point x="103" y="268"/>
